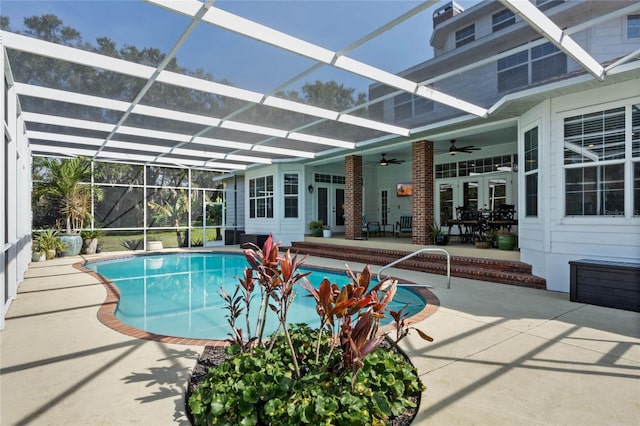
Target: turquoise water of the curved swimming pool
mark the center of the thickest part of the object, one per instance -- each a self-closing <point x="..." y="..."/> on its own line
<point x="178" y="294"/>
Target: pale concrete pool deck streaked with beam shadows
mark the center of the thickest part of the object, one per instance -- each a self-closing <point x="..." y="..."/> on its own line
<point x="502" y="355"/>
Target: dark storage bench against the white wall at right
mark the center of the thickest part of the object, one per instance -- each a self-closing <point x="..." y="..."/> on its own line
<point x="605" y="283"/>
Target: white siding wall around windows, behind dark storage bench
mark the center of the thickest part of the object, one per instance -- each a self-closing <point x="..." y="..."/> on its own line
<point x="551" y="240"/>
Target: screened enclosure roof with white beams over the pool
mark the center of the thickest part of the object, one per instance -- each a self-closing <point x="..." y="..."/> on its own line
<point x="227" y="85"/>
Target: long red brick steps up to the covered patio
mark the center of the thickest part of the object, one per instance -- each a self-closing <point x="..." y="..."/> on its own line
<point x="491" y="270"/>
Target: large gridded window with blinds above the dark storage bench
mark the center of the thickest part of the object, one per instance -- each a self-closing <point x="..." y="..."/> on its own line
<point x="591" y="187"/>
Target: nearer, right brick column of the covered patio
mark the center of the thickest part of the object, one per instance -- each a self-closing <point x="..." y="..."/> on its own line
<point x="423" y="196"/>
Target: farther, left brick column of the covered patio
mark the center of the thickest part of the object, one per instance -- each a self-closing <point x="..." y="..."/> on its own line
<point x="353" y="197"/>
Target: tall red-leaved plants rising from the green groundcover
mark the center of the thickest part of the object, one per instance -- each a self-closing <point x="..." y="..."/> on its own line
<point x="352" y="313"/>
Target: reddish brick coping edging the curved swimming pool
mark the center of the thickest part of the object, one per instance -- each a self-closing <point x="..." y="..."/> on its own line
<point x="106" y="312"/>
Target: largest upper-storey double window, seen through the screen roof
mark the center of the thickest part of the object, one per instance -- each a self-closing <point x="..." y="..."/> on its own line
<point x="517" y="71"/>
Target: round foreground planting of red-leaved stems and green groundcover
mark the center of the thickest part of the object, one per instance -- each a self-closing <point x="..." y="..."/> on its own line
<point x="336" y="374"/>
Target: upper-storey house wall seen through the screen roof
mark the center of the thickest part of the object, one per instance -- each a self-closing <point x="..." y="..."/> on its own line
<point x="606" y="41"/>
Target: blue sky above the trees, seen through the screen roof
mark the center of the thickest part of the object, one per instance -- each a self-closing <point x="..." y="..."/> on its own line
<point x="247" y="63"/>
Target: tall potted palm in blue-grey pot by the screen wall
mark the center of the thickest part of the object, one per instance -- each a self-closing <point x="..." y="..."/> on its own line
<point x="65" y="185"/>
